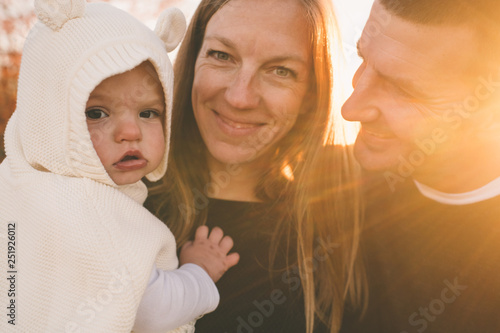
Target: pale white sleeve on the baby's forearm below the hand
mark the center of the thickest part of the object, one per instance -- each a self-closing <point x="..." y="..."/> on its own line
<point x="174" y="298"/>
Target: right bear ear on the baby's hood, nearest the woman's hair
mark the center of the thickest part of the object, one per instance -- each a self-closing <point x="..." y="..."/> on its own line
<point x="171" y="27"/>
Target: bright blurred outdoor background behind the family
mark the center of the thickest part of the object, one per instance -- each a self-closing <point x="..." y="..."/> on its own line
<point x="17" y="18"/>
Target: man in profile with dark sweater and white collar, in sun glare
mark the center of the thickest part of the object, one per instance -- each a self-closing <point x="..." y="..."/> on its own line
<point x="427" y="96"/>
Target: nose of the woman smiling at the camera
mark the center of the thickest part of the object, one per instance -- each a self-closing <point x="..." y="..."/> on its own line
<point x="242" y="92"/>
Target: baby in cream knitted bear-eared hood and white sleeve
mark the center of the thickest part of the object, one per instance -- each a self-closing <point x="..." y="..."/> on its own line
<point x="92" y="119"/>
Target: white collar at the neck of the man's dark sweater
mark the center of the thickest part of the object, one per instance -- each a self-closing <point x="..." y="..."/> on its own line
<point x="488" y="191"/>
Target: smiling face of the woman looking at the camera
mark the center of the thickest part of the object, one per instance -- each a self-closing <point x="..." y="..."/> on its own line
<point x="251" y="77"/>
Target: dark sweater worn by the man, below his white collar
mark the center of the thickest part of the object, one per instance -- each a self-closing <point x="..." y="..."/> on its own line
<point x="432" y="267"/>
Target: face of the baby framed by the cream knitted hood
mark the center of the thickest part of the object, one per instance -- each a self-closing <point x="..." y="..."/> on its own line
<point x="125" y="115"/>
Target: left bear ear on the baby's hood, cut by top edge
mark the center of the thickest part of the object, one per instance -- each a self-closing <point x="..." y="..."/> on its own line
<point x="55" y="13"/>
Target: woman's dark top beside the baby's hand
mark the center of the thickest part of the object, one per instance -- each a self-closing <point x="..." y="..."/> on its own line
<point x="253" y="297"/>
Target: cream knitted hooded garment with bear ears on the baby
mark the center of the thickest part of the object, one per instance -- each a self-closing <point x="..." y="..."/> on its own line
<point x="84" y="247"/>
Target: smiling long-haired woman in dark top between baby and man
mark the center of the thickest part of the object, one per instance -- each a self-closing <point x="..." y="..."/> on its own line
<point x="252" y="107"/>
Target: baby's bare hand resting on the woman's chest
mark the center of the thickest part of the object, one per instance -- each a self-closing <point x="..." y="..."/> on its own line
<point x="210" y="252"/>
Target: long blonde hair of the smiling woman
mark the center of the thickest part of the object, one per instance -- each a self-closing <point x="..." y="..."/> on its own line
<point x="321" y="189"/>
